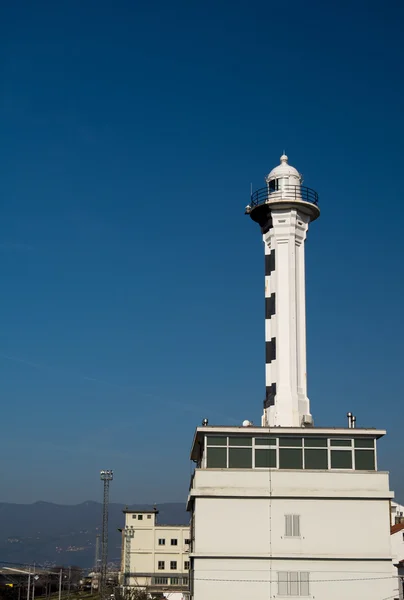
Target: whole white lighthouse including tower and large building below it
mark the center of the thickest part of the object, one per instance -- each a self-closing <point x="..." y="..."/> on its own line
<point x="288" y="509"/>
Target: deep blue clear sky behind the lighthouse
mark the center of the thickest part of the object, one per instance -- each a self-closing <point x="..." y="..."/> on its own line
<point x="131" y="281"/>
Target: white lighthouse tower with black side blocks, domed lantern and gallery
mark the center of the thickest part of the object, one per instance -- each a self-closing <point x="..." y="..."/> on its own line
<point x="283" y="209"/>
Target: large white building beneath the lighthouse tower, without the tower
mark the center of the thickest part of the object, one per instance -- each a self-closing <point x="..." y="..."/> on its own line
<point x="287" y="512"/>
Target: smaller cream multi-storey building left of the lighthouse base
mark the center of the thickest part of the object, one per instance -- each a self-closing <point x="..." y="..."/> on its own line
<point x="154" y="557"/>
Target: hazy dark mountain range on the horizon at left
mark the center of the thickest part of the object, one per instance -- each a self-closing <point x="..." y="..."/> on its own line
<point x="55" y="534"/>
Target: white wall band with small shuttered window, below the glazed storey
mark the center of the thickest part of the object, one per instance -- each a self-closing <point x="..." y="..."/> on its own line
<point x="329" y="527"/>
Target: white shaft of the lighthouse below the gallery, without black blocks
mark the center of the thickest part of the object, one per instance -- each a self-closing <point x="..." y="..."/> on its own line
<point x="286" y="329"/>
